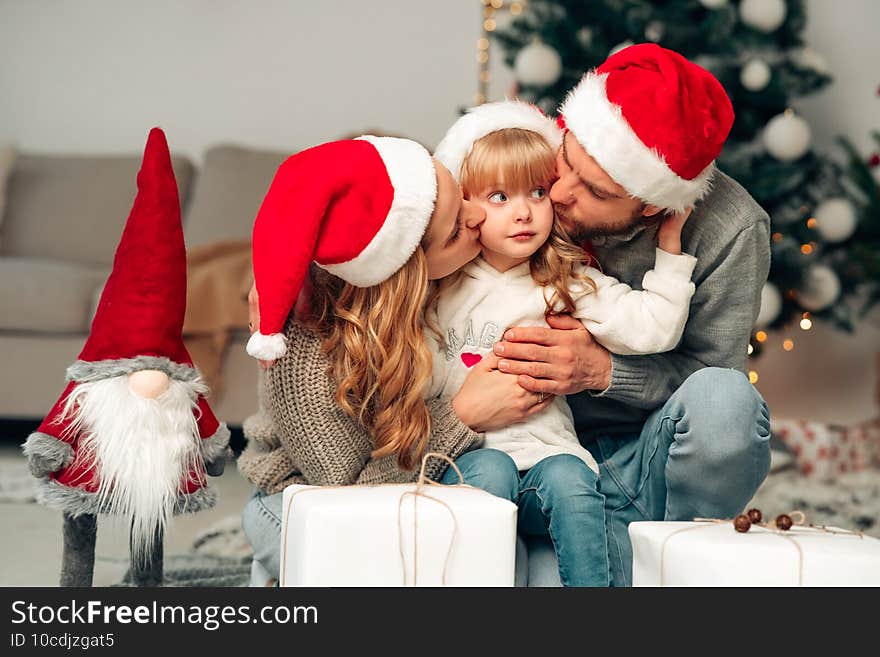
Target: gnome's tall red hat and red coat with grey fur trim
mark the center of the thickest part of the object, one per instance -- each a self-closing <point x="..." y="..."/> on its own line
<point x="137" y="326"/>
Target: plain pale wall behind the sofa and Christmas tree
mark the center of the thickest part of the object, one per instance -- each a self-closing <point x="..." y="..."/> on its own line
<point x="94" y="75"/>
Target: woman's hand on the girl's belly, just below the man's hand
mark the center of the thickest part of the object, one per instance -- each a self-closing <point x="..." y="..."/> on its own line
<point x="490" y="400"/>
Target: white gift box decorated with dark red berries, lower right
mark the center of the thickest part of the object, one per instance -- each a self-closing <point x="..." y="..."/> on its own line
<point x="715" y="554"/>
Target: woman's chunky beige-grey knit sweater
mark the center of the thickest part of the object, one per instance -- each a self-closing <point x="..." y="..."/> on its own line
<point x="301" y="436"/>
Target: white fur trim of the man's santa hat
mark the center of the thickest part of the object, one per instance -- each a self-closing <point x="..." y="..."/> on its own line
<point x="599" y="126"/>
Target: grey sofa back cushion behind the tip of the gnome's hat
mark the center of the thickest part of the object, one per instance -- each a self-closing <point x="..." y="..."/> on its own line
<point x="73" y="208"/>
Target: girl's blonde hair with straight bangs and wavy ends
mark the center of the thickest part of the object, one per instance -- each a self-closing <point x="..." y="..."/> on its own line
<point x="523" y="160"/>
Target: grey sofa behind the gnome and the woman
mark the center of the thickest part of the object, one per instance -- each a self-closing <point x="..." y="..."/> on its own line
<point x="62" y="220"/>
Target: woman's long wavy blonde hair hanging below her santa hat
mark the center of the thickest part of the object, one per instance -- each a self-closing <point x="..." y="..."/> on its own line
<point x="374" y="337"/>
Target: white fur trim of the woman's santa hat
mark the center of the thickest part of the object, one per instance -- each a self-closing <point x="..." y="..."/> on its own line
<point x="411" y="171"/>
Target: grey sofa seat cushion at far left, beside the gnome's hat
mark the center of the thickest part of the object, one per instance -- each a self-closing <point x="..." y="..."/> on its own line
<point x="47" y="296"/>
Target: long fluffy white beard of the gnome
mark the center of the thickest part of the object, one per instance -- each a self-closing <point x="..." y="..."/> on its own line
<point x="143" y="449"/>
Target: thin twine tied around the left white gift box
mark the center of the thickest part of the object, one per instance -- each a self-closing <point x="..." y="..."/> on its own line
<point x="422" y="482"/>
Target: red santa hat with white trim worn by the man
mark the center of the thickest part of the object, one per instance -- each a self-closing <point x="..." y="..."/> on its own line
<point x="654" y="121"/>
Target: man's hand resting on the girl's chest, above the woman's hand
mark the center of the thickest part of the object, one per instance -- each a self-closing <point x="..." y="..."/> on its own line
<point x="562" y="360"/>
